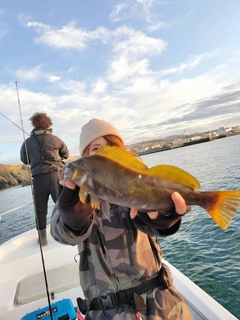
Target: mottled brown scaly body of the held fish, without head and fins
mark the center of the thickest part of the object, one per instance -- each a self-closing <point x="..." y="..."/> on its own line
<point x="130" y="188"/>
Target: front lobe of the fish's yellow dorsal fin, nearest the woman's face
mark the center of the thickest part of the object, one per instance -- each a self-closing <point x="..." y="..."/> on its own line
<point x="123" y="157"/>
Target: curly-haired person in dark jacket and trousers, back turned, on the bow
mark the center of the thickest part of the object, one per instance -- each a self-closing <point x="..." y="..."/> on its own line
<point x="44" y="152"/>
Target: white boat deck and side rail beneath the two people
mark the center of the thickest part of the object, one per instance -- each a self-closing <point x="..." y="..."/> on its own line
<point x="22" y="283"/>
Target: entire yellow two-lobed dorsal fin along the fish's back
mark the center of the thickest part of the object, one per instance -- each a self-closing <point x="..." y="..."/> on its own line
<point x="128" y="160"/>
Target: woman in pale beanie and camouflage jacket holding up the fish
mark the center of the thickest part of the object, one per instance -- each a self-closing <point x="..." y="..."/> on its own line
<point x="121" y="270"/>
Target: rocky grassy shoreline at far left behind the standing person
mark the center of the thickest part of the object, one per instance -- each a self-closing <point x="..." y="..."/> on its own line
<point x="14" y="175"/>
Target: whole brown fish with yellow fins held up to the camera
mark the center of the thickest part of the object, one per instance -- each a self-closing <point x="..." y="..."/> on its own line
<point x="115" y="175"/>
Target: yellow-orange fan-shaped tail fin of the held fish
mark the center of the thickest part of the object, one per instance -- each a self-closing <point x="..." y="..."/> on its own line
<point x="225" y="208"/>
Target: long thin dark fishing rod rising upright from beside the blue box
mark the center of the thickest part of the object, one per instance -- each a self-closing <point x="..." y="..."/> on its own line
<point x="34" y="204"/>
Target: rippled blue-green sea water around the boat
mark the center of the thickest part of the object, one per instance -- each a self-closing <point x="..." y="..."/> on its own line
<point x="201" y="250"/>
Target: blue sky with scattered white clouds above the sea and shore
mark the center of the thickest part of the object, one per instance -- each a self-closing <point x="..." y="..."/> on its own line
<point x="151" y="68"/>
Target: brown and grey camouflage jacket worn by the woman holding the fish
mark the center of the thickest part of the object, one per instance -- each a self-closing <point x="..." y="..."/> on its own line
<point x="117" y="254"/>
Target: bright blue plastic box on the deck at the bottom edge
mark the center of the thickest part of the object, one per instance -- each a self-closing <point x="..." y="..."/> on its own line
<point x="60" y="310"/>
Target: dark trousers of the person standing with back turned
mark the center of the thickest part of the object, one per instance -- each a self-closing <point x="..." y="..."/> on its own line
<point x="44" y="185"/>
